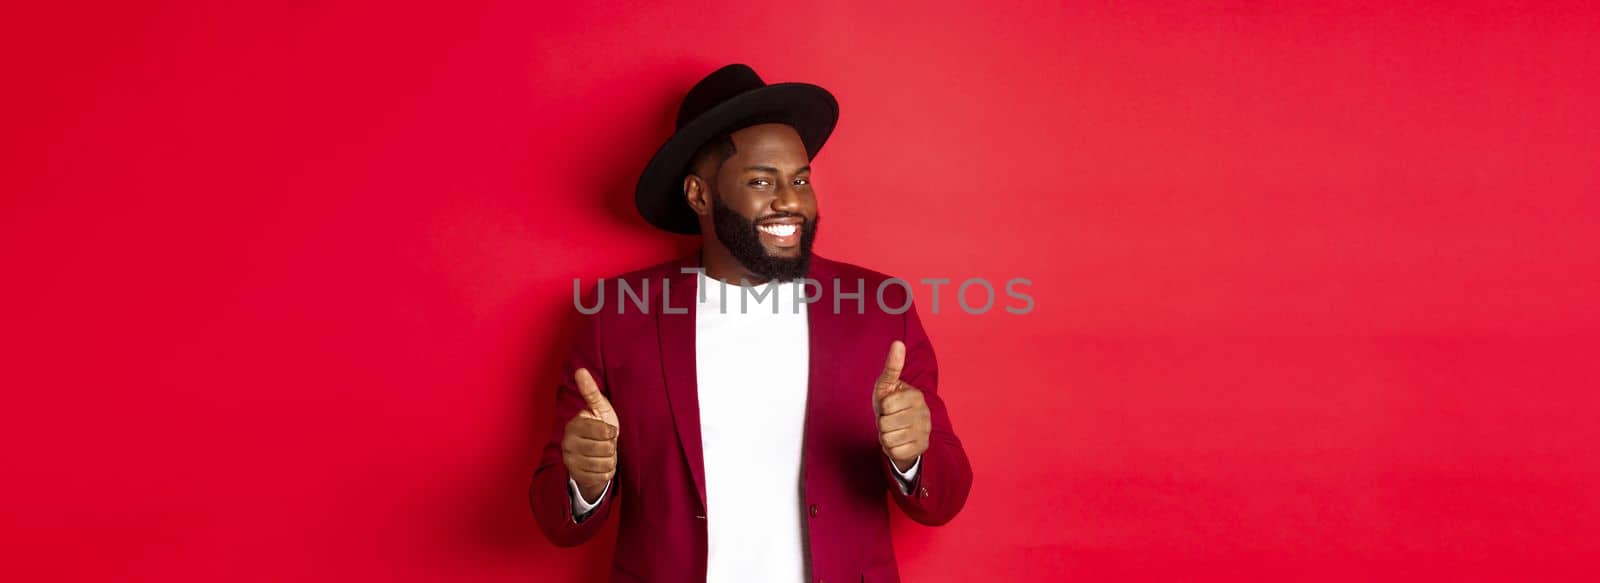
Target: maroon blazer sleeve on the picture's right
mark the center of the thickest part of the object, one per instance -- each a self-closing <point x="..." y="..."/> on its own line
<point x="946" y="476"/>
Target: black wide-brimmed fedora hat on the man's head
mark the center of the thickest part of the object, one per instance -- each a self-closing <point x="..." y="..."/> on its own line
<point x="727" y="100"/>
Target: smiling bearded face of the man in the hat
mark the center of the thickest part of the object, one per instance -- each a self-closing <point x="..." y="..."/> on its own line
<point x="762" y="206"/>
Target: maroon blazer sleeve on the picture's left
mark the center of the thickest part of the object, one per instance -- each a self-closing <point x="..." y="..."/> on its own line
<point x="550" y="497"/>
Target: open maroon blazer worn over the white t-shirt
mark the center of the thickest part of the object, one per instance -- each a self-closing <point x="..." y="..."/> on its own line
<point x="646" y="366"/>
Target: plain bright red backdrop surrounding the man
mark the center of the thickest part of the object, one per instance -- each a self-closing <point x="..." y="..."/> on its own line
<point x="286" y="286"/>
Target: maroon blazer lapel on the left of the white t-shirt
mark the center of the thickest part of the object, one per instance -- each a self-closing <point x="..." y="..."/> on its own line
<point x="676" y="339"/>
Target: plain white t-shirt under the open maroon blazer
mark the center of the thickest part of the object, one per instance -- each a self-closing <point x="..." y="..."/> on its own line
<point x="751" y="371"/>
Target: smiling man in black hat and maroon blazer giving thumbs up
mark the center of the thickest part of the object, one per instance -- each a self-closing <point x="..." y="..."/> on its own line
<point x="758" y="409"/>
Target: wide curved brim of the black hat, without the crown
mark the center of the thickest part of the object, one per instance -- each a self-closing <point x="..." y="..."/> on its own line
<point x="660" y="190"/>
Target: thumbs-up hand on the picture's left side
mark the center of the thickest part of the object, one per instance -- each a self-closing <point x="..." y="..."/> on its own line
<point x="590" y="443"/>
